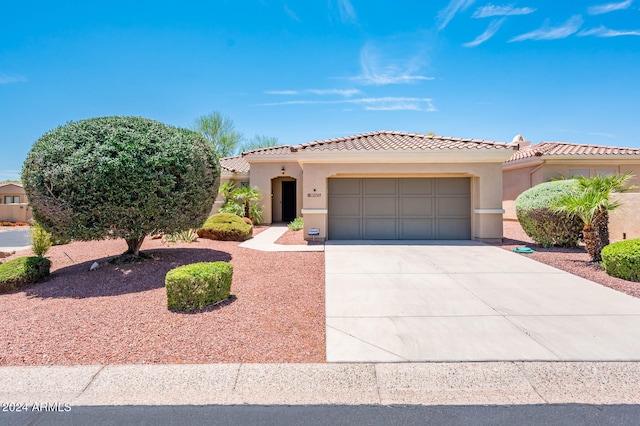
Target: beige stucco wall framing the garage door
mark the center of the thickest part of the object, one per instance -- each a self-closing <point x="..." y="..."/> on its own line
<point x="486" y="194"/>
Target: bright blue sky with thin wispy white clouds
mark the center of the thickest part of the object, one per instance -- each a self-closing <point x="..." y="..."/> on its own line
<point x="302" y="70"/>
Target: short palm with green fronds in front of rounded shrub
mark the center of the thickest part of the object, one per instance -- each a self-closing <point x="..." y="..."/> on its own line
<point x="587" y="205"/>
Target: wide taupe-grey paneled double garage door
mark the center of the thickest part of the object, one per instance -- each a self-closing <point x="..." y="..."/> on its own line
<point x="399" y="209"/>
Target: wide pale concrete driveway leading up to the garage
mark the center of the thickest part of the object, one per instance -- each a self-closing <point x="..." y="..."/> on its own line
<point x="467" y="301"/>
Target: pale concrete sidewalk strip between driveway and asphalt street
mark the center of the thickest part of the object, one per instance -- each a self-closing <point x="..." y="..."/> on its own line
<point x="493" y="383"/>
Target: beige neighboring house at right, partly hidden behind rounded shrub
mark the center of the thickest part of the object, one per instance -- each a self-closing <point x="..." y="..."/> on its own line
<point x="542" y="162"/>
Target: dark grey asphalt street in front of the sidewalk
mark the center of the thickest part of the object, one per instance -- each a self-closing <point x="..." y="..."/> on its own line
<point x="282" y="415"/>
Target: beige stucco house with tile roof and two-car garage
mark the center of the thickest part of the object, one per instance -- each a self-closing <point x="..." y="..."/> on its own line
<point x="381" y="185"/>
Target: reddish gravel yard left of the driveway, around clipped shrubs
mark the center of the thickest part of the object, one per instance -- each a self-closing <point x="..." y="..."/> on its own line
<point x="117" y="314"/>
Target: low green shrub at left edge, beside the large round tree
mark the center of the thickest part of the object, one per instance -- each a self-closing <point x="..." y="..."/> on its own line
<point x="22" y="271"/>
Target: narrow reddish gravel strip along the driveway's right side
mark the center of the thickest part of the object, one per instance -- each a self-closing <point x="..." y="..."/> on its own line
<point x="573" y="260"/>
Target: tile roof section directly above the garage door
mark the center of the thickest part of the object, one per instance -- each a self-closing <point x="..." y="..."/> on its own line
<point x="384" y="140"/>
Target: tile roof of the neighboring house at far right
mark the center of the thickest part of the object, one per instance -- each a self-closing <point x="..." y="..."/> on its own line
<point x="567" y="148"/>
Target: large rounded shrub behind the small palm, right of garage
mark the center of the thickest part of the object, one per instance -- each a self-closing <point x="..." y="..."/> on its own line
<point x="540" y="222"/>
